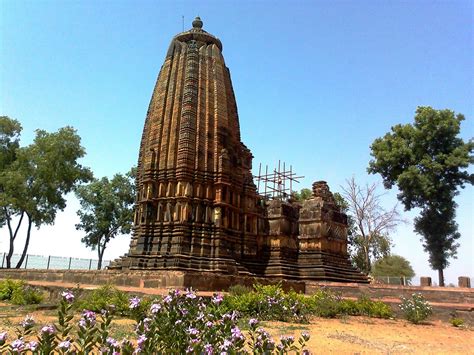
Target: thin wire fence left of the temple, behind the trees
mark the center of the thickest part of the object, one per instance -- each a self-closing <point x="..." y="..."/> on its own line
<point x="53" y="262"/>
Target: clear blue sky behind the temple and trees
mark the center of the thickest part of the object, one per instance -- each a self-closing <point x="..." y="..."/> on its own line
<point x="316" y="82"/>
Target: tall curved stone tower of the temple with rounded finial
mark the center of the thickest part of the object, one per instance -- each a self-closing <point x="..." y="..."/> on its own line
<point x="197" y="206"/>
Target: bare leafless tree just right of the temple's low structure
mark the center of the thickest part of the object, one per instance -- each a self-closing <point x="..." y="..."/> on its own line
<point x="369" y="223"/>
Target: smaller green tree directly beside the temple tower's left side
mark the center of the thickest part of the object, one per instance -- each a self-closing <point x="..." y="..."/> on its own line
<point x="107" y="210"/>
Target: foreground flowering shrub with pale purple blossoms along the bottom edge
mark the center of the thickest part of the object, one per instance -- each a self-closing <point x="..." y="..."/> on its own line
<point x="179" y="323"/>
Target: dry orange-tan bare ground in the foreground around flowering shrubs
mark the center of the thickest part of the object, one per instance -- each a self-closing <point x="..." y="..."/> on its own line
<point x="348" y="335"/>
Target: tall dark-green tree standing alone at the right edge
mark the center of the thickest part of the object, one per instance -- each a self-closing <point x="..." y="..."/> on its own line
<point x="427" y="161"/>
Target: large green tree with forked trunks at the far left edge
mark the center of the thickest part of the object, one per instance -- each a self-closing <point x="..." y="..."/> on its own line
<point x="36" y="178"/>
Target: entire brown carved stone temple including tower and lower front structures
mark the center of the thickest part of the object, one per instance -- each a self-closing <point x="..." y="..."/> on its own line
<point x="197" y="206"/>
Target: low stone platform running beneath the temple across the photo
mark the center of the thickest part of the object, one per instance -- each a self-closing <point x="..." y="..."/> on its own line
<point x="446" y="301"/>
